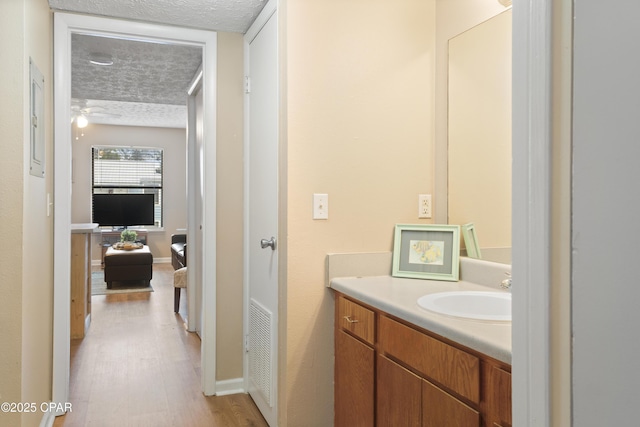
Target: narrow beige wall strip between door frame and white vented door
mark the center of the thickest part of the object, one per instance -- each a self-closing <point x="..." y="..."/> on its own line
<point x="229" y="195"/>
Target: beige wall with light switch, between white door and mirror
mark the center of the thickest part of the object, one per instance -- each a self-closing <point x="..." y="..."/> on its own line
<point x="360" y="128"/>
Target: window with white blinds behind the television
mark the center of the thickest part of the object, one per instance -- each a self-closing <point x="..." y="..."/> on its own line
<point x="129" y="170"/>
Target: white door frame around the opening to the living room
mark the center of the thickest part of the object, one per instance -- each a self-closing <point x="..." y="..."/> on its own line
<point x="64" y="26"/>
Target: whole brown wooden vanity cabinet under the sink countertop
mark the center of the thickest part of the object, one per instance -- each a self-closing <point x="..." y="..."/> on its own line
<point x="418" y="379"/>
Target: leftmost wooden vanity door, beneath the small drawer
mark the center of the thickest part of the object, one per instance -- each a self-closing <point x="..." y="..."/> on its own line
<point x="354" y="377"/>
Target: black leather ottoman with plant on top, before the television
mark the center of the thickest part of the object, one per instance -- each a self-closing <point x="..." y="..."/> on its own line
<point x="128" y="265"/>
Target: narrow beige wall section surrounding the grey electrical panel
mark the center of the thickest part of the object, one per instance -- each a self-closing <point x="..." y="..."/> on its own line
<point x="37" y="279"/>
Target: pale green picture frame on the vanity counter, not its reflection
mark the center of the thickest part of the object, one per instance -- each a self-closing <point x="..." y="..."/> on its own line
<point x="426" y="251"/>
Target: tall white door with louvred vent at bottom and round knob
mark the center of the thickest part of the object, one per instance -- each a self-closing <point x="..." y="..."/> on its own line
<point x="262" y="217"/>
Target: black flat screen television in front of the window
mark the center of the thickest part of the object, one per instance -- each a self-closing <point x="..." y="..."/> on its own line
<point x="123" y="210"/>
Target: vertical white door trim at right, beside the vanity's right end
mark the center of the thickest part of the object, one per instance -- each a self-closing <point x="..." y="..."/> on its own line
<point x="531" y="197"/>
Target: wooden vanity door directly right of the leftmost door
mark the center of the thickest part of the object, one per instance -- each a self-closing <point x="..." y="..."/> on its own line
<point x="399" y="395"/>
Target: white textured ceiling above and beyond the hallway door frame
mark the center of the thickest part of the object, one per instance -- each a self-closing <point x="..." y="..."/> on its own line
<point x="147" y="83"/>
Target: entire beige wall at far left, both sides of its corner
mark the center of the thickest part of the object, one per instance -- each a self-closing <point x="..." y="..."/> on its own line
<point x="26" y="274"/>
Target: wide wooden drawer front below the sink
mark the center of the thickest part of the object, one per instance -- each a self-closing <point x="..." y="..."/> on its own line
<point x="448" y="366"/>
